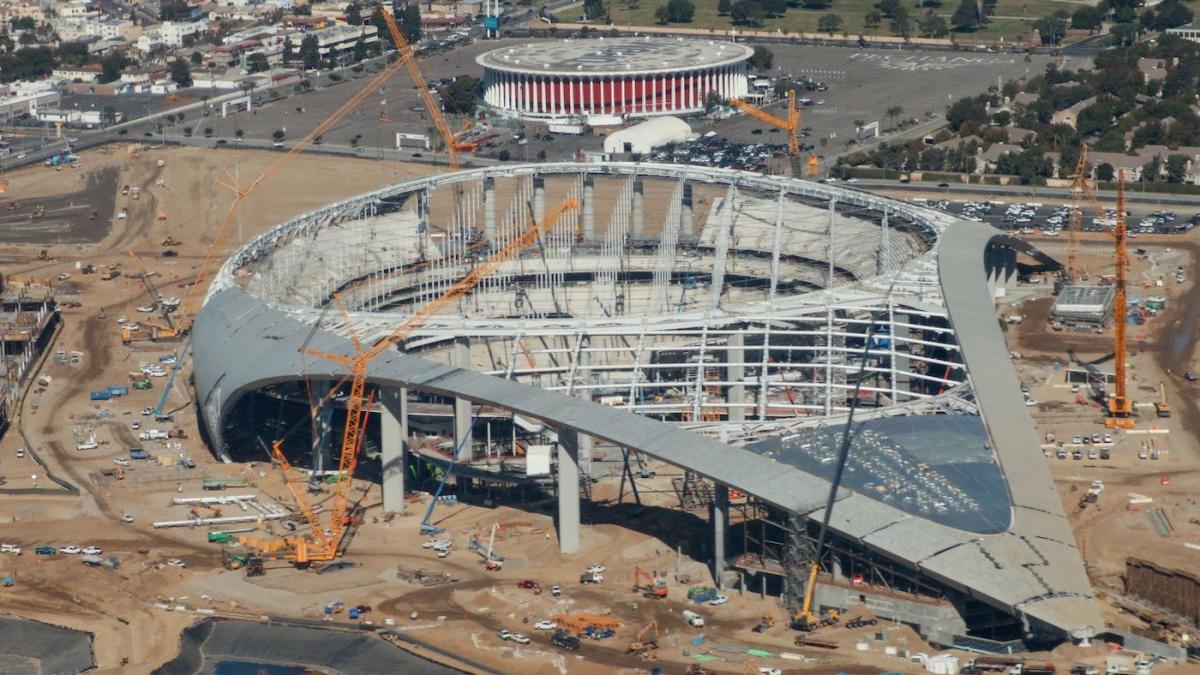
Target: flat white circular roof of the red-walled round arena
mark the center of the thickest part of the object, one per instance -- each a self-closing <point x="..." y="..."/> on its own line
<point x="614" y="56"/>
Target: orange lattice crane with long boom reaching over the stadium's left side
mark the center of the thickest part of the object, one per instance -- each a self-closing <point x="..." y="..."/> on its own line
<point x="358" y="405"/>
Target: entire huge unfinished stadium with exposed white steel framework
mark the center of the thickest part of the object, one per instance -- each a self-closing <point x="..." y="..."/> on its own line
<point x="719" y="321"/>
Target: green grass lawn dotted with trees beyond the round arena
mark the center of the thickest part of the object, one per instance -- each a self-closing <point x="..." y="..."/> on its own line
<point x="1015" y="27"/>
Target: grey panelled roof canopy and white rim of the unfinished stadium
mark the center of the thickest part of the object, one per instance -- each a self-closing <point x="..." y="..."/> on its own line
<point x="1015" y="551"/>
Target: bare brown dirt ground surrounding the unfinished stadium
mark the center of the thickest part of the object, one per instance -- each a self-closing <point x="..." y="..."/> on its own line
<point x="171" y="578"/>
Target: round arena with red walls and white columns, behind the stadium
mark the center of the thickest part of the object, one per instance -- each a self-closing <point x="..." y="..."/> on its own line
<point x="623" y="76"/>
